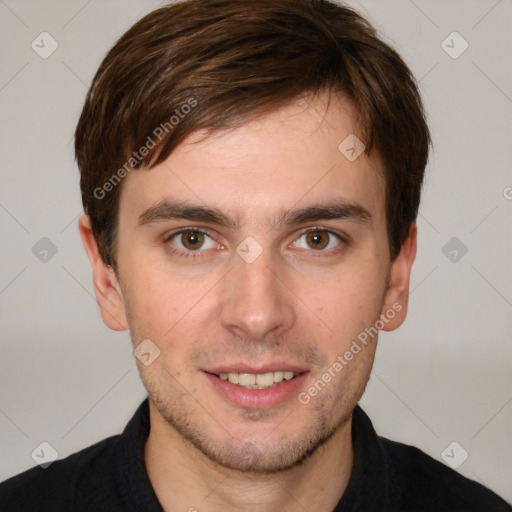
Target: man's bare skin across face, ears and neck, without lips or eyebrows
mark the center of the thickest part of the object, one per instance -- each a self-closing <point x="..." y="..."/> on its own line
<point x="294" y="303"/>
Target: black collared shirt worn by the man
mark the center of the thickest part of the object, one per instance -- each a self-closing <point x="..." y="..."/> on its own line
<point x="111" y="476"/>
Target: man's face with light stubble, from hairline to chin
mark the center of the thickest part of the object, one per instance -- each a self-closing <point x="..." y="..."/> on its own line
<point x="261" y="297"/>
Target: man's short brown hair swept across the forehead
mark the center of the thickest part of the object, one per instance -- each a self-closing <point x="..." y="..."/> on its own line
<point x="239" y="59"/>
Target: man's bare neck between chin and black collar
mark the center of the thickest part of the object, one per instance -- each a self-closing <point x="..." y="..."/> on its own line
<point x="185" y="479"/>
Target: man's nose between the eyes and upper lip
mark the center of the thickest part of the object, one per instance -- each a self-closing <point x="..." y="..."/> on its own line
<point x="256" y="302"/>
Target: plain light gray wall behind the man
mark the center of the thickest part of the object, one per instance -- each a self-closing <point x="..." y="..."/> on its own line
<point x="444" y="376"/>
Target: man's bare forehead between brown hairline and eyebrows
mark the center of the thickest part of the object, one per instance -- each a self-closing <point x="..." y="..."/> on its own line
<point x="288" y="158"/>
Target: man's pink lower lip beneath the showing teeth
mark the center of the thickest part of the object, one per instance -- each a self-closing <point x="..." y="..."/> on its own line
<point x="257" y="398"/>
